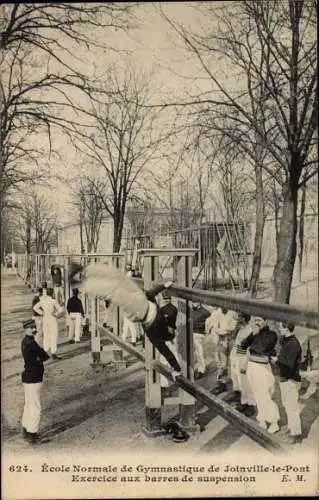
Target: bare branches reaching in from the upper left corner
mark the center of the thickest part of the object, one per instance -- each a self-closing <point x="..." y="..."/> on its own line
<point x="39" y="68"/>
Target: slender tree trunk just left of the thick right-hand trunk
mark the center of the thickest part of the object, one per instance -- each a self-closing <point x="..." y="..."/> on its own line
<point x="260" y="224"/>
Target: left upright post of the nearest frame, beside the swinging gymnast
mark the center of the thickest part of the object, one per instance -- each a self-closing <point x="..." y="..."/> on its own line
<point x="152" y="381"/>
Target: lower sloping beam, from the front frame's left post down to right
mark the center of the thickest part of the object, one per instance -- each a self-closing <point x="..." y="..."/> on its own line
<point x="240" y="421"/>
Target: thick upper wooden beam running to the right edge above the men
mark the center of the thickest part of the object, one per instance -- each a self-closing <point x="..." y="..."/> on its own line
<point x="254" y="307"/>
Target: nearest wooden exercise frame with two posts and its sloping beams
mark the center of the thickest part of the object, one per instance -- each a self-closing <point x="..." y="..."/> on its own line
<point x="188" y="390"/>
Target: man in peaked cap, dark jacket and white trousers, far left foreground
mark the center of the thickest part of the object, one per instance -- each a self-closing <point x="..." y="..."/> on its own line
<point x="32" y="378"/>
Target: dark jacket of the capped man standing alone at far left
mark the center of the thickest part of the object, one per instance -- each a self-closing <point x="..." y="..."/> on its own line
<point x="33" y="356"/>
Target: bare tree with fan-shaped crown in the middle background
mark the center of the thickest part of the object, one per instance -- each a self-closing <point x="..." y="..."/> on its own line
<point x="122" y="145"/>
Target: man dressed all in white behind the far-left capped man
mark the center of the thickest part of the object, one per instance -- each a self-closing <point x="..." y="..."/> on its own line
<point x="50" y="309"/>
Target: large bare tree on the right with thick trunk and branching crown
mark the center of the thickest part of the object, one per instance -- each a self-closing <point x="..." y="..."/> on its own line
<point x="272" y="46"/>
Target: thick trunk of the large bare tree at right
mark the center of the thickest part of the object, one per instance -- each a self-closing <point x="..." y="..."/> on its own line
<point x="287" y="245"/>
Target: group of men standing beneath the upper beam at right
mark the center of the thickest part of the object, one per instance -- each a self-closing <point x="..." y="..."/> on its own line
<point x="253" y="355"/>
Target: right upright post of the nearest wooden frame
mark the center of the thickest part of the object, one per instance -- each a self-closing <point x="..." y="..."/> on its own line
<point x="185" y="342"/>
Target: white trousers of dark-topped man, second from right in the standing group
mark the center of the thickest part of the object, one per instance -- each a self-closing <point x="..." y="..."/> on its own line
<point x="262" y="383"/>
